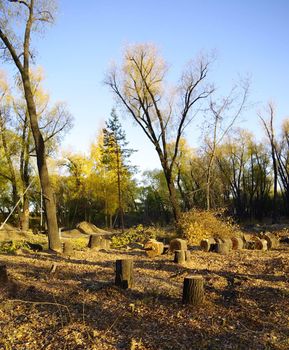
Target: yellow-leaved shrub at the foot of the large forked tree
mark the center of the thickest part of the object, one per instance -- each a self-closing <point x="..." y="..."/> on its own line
<point x="196" y="225"/>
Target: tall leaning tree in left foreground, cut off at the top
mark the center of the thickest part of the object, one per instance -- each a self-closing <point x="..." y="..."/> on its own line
<point x="16" y="47"/>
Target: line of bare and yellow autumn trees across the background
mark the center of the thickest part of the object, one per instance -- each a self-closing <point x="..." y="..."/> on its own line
<point x="230" y="169"/>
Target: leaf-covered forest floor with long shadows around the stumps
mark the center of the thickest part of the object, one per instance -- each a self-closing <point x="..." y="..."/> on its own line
<point x="78" y="307"/>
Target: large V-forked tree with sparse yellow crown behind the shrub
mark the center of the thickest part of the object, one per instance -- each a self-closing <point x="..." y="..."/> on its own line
<point x="139" y="84"/>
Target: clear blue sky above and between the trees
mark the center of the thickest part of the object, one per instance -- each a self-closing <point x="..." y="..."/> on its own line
<point x="250" y="37"/>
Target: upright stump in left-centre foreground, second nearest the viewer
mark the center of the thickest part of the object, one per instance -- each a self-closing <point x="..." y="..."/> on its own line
<point x="124" y="277"/>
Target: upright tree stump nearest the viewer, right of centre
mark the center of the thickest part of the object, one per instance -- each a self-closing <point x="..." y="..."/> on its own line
<point x="193" y="290"/>
